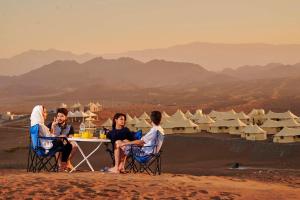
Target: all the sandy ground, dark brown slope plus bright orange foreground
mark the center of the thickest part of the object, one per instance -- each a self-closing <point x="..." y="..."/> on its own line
<point x="194" y="167"/>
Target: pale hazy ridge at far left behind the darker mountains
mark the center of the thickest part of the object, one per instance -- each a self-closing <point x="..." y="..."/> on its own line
<point x="34" y="59"/>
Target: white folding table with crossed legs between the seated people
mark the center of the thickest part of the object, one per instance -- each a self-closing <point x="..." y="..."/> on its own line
<point x="85" y="158"/>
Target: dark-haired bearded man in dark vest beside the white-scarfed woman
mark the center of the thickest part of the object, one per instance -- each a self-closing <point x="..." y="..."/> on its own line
<point x="61" y="127"/>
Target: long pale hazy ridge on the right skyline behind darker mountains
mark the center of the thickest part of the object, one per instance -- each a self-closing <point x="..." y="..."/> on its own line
<point x="217" y="56"/>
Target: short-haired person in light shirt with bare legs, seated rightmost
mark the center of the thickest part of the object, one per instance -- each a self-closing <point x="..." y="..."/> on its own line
<point x="123" y="148"/>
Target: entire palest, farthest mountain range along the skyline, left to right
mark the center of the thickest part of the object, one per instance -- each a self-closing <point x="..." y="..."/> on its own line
<point x="212" y="56"/>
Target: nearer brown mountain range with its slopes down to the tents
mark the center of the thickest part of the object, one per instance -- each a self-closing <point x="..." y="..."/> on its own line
<point x="157" y="82"/>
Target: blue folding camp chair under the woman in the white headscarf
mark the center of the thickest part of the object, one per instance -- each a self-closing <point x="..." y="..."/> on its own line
<point x="39" y="158"/>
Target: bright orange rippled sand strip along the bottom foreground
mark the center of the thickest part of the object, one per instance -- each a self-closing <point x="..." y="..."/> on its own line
<point x="16" y="184"/>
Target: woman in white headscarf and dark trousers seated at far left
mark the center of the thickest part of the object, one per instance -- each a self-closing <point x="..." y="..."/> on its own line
<point x="38" y="116"/>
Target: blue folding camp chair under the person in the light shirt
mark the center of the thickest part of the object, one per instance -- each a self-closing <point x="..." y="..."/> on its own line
<point x="151" y="163"/>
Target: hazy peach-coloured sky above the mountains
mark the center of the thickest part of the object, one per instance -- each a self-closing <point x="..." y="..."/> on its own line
<point x="110" y="26"/>
